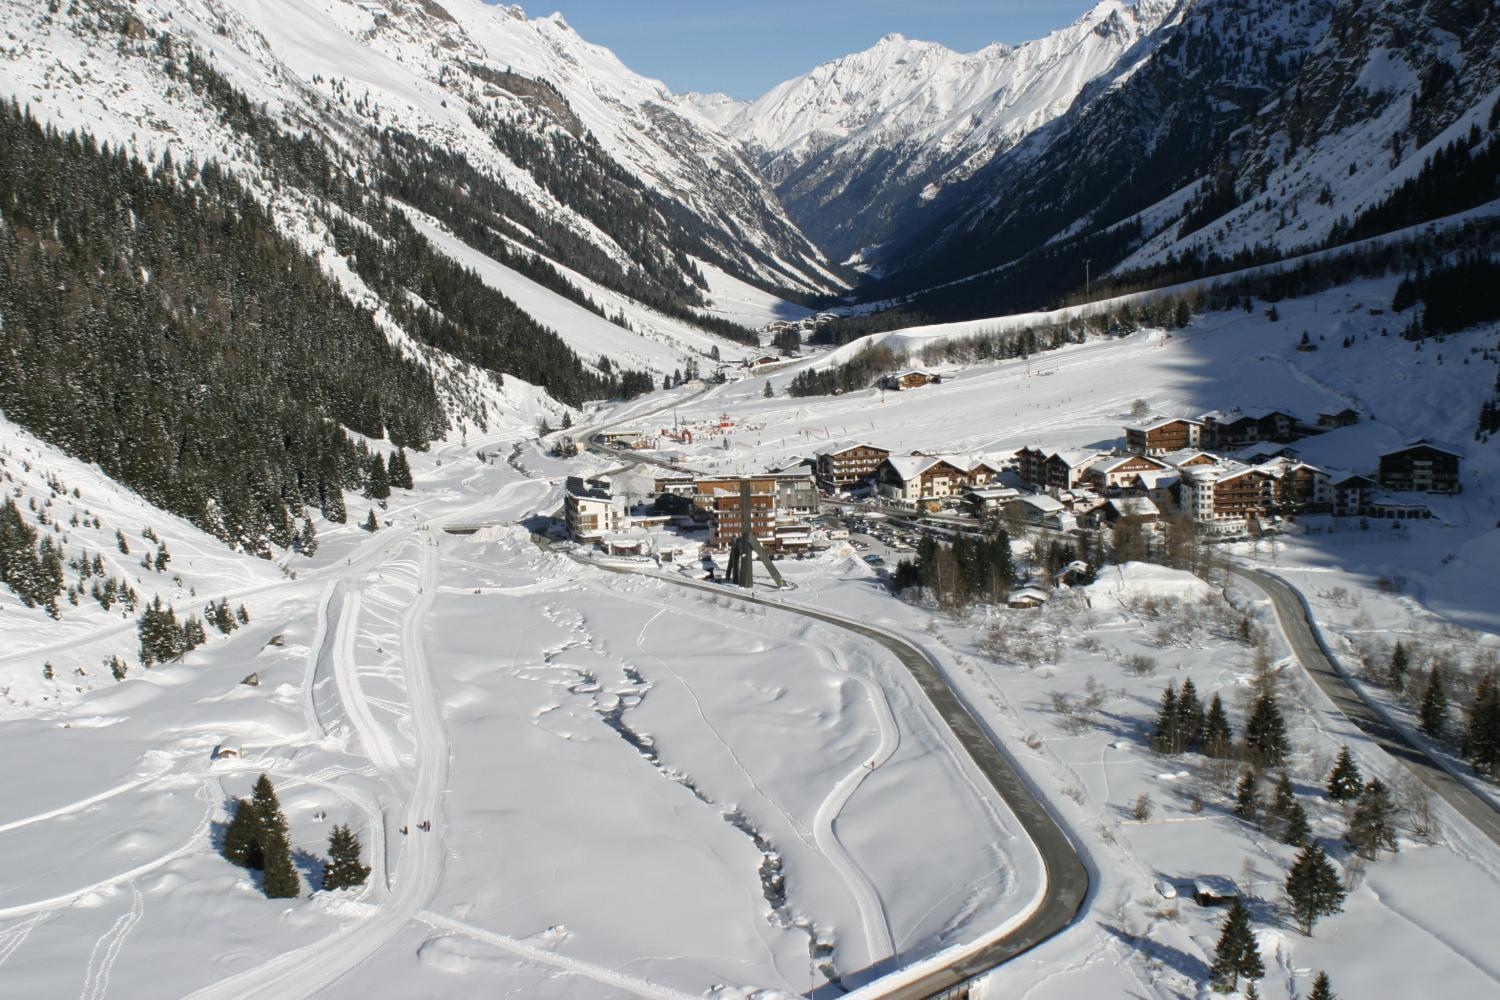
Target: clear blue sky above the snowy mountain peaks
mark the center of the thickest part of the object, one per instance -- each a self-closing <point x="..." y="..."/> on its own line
<point x="746" y="47"/>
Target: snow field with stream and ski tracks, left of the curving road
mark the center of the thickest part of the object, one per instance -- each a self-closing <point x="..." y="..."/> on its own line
<point x="631" y="789"/>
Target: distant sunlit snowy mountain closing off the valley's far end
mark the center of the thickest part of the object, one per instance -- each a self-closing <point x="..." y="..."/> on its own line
<point x="859" y="146"/>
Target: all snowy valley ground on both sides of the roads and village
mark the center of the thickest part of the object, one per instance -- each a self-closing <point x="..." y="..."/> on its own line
<point x="634" y="791"/>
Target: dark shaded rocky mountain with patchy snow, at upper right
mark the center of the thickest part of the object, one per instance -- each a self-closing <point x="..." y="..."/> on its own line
<point x="1238" y="128"/>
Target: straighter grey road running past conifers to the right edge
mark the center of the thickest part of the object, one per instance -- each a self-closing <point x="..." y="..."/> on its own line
<point x="1307" y="645"/>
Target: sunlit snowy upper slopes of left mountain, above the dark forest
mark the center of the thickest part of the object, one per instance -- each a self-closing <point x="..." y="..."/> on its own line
<point x="611" y="164"/>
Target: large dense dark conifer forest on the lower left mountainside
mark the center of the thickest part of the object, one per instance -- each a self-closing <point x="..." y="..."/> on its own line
<point x="160" y="326"/>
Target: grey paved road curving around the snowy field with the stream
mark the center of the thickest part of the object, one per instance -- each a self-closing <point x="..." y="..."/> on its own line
<point x="1067" y="876"/>
